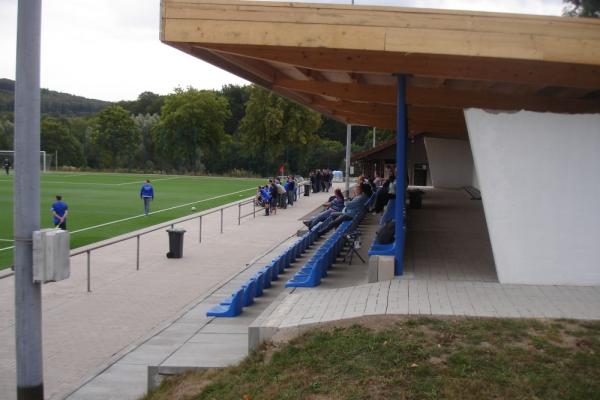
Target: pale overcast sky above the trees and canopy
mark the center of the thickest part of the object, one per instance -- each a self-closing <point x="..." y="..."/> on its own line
<point x="110" y="49"/>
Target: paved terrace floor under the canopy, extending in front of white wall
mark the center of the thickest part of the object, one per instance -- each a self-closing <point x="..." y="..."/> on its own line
<point x="449" y="271"/>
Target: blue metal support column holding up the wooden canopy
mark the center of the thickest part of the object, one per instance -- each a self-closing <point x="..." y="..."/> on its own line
<point x="400" y="173"/>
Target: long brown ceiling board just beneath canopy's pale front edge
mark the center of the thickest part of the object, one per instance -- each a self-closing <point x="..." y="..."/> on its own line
<point x="435" y="66"/>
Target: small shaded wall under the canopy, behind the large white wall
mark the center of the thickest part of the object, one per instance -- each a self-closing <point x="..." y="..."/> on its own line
<point x="450" y="162"/>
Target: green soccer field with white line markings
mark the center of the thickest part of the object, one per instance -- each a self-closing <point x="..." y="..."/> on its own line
<point x="113" y="201"/>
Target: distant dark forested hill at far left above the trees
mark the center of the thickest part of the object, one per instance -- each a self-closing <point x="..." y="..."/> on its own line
<point x="53" y="103"/>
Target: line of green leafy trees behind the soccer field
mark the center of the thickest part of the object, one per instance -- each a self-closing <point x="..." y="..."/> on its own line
<point x="238" y="130"/>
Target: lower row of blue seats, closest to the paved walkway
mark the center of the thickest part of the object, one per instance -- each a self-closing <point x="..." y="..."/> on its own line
<point x="244" y="296"/>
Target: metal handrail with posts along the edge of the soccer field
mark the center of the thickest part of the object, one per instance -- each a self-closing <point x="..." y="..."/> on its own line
<point x="171" y="224"/>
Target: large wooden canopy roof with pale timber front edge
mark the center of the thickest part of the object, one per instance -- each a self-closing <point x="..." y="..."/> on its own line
<point x="341" y="60"/>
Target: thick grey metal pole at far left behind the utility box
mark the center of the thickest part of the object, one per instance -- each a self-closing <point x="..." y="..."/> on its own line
<point x="28" y="299"/>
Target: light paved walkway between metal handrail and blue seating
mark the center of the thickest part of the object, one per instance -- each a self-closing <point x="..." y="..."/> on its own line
<point x="85" y="333"/>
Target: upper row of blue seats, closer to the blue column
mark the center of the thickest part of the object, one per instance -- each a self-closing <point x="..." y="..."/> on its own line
<point x="316" y="268"/>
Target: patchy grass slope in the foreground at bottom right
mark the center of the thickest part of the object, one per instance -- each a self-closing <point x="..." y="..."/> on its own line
<point x="413" y="358"/>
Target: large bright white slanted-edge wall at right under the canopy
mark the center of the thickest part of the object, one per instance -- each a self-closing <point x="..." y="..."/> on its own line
<point x="540" y="176"/>
